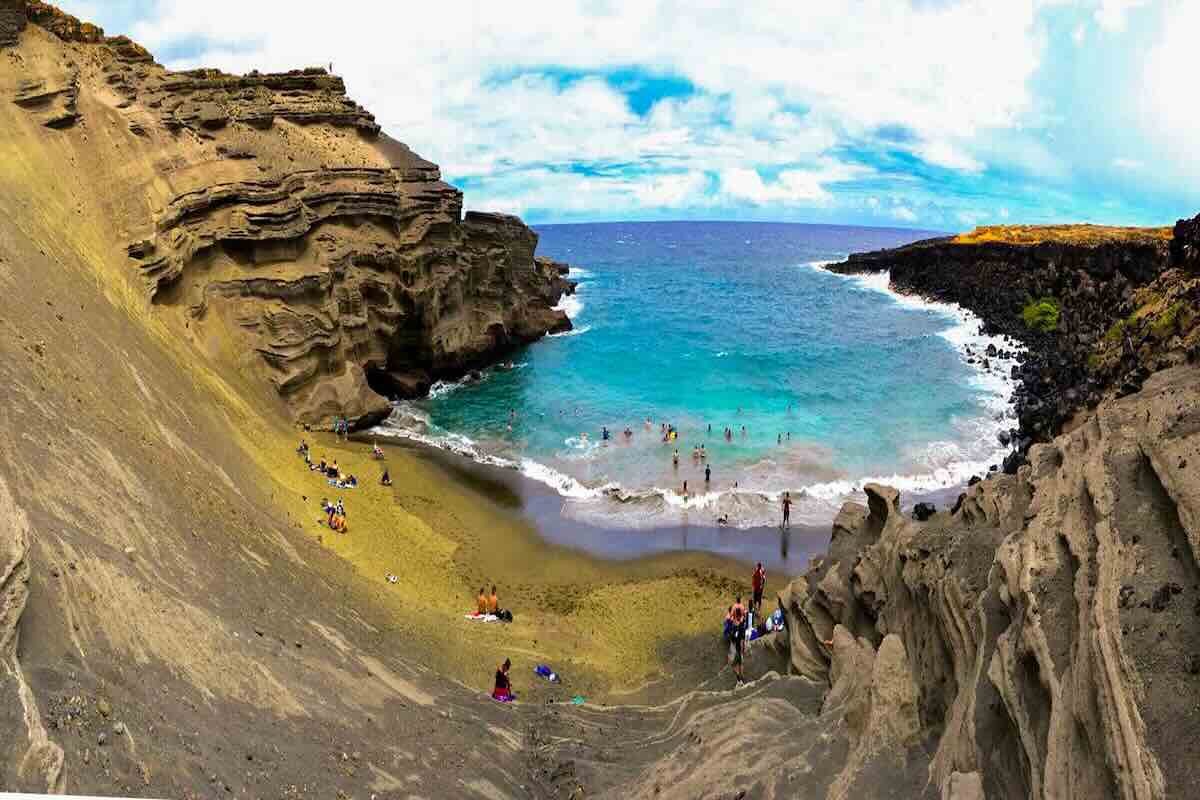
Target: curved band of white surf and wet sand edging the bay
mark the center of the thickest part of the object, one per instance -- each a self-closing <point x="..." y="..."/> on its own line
<point x="692" y="526"/>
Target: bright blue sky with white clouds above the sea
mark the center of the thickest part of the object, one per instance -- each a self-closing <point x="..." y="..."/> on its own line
<point x="910" y="113"/>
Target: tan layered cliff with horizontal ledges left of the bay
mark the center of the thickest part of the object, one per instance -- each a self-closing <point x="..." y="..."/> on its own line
<point x="271" y="222"/>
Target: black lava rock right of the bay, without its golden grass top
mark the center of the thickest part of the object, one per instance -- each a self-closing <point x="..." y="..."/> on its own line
<point x="1094" y="286"/>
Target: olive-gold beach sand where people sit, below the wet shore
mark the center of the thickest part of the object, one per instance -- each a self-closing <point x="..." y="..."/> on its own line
<point x="640" y="625"/>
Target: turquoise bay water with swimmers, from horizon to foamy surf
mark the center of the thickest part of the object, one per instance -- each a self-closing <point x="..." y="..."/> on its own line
<point x="835" y="380"/>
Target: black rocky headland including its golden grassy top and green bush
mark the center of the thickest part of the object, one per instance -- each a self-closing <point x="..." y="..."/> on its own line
<point x="1083" y="280"/>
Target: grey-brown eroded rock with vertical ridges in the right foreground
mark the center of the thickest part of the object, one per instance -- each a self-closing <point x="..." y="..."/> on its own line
<point x="1051" y="623"/>
